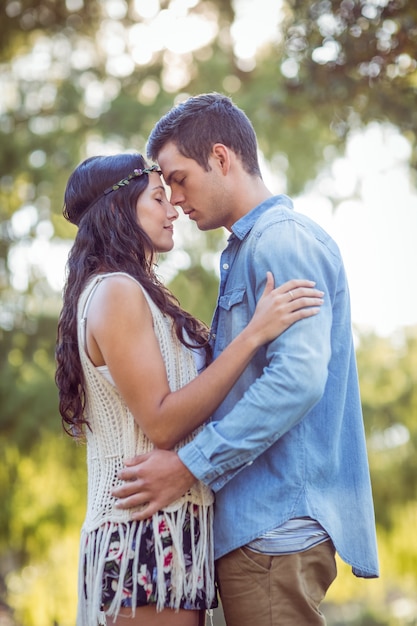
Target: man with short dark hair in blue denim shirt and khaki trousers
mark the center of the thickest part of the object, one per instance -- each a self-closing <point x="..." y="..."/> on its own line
<point x="285" y="452"/>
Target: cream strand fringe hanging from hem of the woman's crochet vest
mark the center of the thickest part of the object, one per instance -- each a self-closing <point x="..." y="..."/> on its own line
<point x="92" y="558"/>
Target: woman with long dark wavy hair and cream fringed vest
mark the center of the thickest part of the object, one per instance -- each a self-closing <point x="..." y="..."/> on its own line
<point x="127" y="363"/>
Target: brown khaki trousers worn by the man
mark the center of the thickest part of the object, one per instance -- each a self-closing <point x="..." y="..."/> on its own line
<point x="285" y="590"/>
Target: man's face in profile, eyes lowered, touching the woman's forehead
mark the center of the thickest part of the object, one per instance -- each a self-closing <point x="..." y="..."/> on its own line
<point x="201" y="195"/>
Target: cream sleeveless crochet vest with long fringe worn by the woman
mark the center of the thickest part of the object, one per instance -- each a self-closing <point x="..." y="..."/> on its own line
<point x="114" y="437"/>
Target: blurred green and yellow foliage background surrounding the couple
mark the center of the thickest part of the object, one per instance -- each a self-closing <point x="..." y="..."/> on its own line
<point x="78" y="78"/>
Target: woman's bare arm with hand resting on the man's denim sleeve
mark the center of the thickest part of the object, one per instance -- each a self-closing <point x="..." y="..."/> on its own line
<point x="120" y="334"/>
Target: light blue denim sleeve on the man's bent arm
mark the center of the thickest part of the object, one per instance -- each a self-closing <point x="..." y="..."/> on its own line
<point x="286" y="378"/>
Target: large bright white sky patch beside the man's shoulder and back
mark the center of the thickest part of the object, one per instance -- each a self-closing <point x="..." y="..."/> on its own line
<point x="376" y="230"/>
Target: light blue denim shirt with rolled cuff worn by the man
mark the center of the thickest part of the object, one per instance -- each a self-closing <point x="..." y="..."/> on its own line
<point x="288" y="441"/>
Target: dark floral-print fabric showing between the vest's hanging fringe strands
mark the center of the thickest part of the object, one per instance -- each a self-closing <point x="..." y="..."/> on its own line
<point x="141" y="569"/>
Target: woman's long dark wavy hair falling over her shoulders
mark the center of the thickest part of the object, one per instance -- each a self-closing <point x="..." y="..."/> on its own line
<point x="109" y="239"/>
